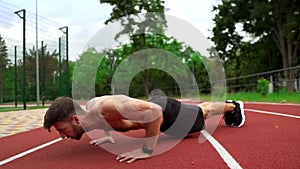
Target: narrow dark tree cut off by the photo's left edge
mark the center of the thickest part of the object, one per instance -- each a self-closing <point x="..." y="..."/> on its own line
<point x="3" y="64"/>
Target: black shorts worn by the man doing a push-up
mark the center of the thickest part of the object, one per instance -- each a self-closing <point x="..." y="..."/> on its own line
<point x="179" y="119"/>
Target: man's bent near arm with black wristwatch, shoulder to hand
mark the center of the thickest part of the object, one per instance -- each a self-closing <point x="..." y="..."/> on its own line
<point x="147" y="114"/>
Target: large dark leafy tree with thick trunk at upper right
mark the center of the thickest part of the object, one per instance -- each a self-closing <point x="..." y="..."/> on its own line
<point x="277" y="20"/>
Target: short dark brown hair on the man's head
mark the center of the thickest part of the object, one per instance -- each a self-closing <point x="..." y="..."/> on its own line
<point x="61" y="109"/>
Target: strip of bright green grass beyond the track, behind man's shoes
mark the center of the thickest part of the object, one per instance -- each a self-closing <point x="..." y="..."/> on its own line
<point x="279" y="97"/>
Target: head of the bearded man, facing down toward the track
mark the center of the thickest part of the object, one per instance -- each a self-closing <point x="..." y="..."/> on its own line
<point x="62" y="115"/>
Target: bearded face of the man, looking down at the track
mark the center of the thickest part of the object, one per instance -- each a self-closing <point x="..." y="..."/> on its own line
<point x="69" y="129"/>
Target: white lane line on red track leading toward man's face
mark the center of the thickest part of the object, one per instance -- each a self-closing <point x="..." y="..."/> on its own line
<point x="28" y="151"/>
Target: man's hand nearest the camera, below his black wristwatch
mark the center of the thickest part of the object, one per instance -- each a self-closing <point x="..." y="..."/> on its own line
<point x="133" y="156"/>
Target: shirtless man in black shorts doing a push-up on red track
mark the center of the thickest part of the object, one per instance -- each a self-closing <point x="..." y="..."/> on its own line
<point x="122" y="113"/>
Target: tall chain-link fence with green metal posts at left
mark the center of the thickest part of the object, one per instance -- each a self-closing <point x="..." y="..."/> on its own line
<point x="19" y="78"/>
